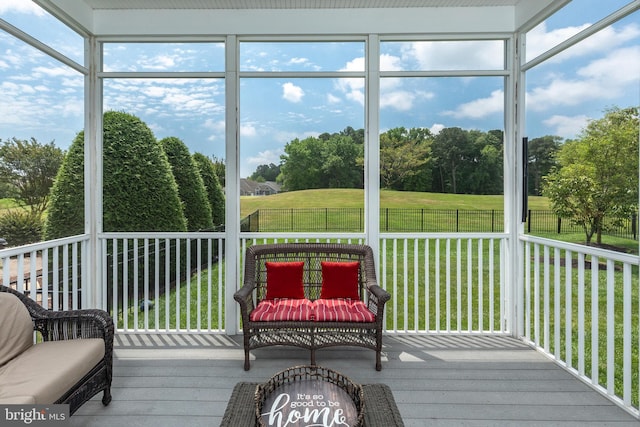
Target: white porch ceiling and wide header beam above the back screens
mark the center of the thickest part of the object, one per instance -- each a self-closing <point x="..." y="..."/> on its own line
<point x="196" y="18"/>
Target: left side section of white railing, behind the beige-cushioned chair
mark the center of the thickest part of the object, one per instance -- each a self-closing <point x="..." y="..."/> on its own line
<point x="49" y="272"/>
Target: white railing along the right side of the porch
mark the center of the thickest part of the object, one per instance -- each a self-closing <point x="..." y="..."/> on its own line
<point x="581" y="307"/>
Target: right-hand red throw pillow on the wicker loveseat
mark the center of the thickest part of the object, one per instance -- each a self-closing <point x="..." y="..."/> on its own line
<point x="340" y="280"/>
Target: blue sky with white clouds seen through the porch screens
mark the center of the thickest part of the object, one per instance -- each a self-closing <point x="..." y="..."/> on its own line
<point x="42" y="98"/>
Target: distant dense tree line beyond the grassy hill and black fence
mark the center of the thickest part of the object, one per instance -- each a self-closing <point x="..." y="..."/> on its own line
<point x="454" y="160"/>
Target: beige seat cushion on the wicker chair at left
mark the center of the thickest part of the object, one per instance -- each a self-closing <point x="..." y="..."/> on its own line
<point x="47" y="370"/>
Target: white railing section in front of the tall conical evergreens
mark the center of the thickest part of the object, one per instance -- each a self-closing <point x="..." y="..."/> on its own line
<point x="164" y="282"/>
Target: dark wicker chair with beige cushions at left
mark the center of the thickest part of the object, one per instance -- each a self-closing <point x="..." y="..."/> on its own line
<point x="73" y="363"/>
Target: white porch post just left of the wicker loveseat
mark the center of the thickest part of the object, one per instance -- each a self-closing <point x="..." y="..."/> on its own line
<point x="232" y="186"/>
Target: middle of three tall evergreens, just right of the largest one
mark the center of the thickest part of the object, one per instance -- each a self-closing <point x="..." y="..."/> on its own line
<point x="190" y="185"/>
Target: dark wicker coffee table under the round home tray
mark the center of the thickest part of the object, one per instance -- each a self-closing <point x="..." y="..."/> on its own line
<point x="380" y="406"/>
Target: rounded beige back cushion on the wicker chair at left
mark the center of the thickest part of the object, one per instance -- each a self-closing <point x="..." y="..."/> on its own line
<point x="16" y="330"/>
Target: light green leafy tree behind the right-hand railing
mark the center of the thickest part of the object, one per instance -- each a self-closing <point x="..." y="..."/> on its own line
<point x="597" y="177"/>
